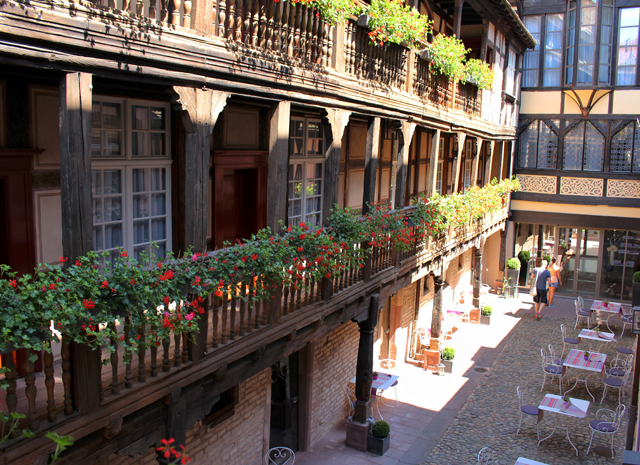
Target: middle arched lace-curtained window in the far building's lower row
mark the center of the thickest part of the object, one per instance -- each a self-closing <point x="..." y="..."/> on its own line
<point x="583" y="148"/>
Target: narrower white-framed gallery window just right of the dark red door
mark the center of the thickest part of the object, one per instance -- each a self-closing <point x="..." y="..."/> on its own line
<point x="306" y="169"/>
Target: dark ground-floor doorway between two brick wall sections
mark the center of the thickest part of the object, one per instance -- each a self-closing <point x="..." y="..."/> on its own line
<point x="285" y="396"/>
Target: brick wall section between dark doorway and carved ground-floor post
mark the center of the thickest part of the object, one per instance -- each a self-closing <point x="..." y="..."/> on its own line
<point x="335" y="360"/>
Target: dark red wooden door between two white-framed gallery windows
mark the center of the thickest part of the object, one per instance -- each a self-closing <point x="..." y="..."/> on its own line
<point x="239" y="195"/>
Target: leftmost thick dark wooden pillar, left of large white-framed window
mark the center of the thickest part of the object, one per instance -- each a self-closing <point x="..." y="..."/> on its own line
<point x="77" y="219"/>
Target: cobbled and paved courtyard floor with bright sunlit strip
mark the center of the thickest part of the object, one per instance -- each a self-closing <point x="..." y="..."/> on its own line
<point x="447" y="420"/>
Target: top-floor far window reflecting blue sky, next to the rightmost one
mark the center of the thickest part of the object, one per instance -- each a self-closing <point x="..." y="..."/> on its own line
<point x="583" y="44"/>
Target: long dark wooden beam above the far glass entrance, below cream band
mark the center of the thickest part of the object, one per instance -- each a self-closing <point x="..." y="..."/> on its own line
<point x="583" y="221"/>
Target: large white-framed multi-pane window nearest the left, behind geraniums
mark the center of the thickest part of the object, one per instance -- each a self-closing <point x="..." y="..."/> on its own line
<point x="131" y="176"/>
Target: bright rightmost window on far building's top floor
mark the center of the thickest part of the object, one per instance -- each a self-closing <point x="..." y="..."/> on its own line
<point x="628" y="46"/>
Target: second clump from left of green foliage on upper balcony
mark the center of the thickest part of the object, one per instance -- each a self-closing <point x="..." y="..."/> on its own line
<point x="392" y="21"/>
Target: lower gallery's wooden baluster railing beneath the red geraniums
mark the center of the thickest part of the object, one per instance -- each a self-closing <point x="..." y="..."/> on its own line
<point x="229" y="329"/>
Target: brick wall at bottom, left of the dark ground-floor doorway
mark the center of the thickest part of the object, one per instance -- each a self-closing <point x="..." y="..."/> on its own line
<point x="237" y="441"/>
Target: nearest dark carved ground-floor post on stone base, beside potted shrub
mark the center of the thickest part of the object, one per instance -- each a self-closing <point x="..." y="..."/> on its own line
<point x="358" y="428"/>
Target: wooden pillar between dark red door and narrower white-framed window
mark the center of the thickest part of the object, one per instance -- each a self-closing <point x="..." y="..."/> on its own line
<point x="278" y="165"/>
